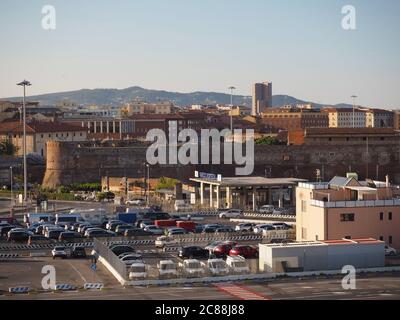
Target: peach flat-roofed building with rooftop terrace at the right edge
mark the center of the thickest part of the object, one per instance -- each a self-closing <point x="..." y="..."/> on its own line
<point x="347" y="208"/>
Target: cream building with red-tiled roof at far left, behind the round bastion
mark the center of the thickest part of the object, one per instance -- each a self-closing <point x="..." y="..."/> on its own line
<point x="38" y="134"/>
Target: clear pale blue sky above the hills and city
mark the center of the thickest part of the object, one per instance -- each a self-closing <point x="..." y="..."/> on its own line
<point x="205" y="45"/>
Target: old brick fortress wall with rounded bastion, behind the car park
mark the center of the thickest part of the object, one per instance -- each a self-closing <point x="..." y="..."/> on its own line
<point x="88" y="162"/>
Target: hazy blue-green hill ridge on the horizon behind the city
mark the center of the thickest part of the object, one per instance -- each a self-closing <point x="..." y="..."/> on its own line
<point x="117" y="97"/>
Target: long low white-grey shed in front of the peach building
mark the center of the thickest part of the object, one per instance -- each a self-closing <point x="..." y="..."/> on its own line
<point x="322" y="255"/>
